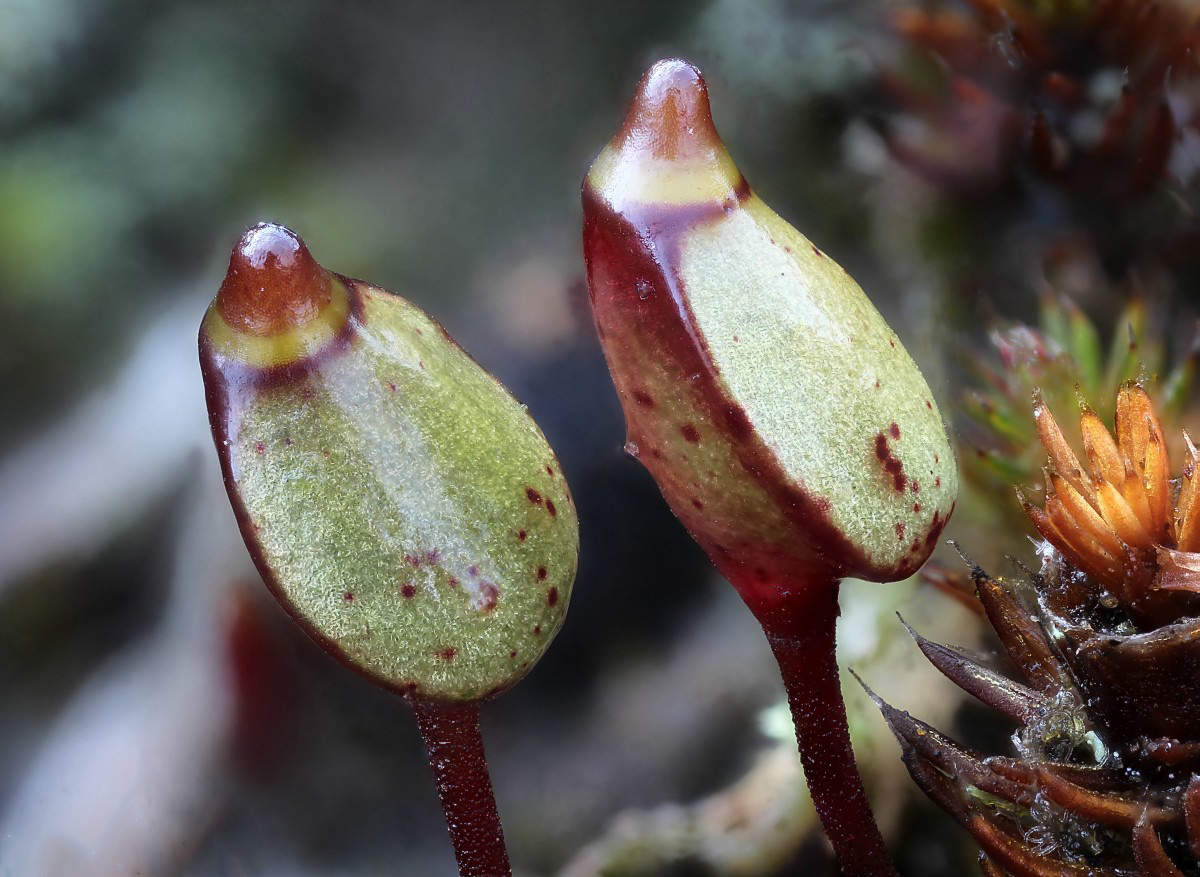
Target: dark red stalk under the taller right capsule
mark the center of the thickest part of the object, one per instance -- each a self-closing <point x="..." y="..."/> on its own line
<point x="803" y="642"/>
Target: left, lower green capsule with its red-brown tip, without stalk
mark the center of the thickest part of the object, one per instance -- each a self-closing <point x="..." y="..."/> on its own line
<point x="399" y="502"/>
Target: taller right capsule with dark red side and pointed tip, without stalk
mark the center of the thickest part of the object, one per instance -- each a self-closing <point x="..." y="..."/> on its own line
<point x="781" y="416"/>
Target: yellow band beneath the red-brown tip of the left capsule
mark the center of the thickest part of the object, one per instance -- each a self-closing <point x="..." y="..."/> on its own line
<point x="283" y="349"/>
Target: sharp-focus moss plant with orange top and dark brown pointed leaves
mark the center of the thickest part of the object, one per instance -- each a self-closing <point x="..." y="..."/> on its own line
<point x="1105" y="640"/>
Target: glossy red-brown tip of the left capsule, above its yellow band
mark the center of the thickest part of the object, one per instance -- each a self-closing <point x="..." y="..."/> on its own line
<point x="273" y="284"/>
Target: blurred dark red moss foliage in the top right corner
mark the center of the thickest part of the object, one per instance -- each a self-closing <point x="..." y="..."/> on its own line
<point x="1047" y="122"/>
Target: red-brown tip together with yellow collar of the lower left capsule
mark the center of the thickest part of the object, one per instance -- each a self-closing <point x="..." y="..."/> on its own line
<point x="277" y="305"/>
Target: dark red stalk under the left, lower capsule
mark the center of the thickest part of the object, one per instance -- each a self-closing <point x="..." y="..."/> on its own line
<point x="460" y="768"/>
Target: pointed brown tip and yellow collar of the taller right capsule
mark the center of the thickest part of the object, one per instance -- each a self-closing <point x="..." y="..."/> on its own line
<point x="668" y="152"/>
